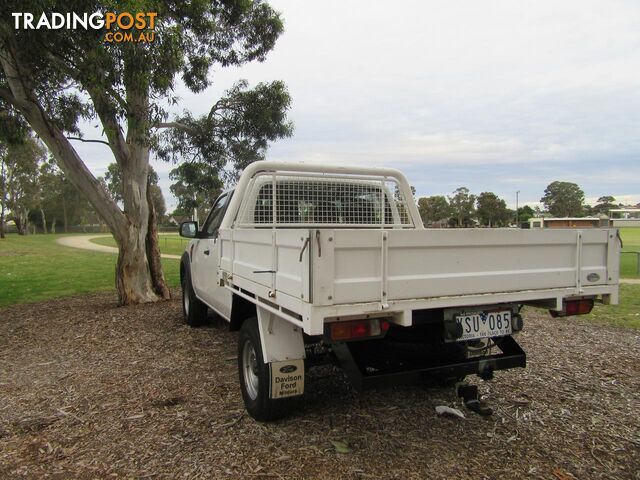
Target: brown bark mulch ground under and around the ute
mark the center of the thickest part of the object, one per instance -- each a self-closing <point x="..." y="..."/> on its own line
<point x="89" y="390"/>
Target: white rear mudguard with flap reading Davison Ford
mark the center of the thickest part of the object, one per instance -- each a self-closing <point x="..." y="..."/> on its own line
<point x="283" y="349"/>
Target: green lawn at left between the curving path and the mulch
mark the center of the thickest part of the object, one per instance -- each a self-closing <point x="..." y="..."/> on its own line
<point x="36" y="267"/>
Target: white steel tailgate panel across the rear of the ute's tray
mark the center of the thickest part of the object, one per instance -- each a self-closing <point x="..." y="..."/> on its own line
<point x="436" y="263"/>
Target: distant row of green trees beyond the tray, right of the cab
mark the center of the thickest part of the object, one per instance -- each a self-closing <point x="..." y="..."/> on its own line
<point x="464" y="209"/>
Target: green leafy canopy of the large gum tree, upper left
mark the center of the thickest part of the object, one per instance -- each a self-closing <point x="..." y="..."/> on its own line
<point x="191" y="38"/>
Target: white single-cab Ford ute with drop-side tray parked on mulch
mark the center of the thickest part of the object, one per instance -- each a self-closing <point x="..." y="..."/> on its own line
<point x="315" y="263"/>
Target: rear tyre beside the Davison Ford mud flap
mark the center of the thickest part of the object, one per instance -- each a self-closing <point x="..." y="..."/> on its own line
<point x="255" y="379"/>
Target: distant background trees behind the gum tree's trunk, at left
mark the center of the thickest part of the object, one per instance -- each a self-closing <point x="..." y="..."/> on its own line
<point x="37" y="196"/>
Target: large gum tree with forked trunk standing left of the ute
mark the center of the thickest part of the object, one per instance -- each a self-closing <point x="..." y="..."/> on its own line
<point x="57" y="78"/>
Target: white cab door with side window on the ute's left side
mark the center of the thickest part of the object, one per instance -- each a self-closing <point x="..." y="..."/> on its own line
<point x="205" y="261"/>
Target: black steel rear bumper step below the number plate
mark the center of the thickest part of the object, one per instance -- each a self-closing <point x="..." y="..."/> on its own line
<point x="362" y="377"/>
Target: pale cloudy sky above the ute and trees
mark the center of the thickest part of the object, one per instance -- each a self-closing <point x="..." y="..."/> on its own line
<point x="500" y="96"/>
